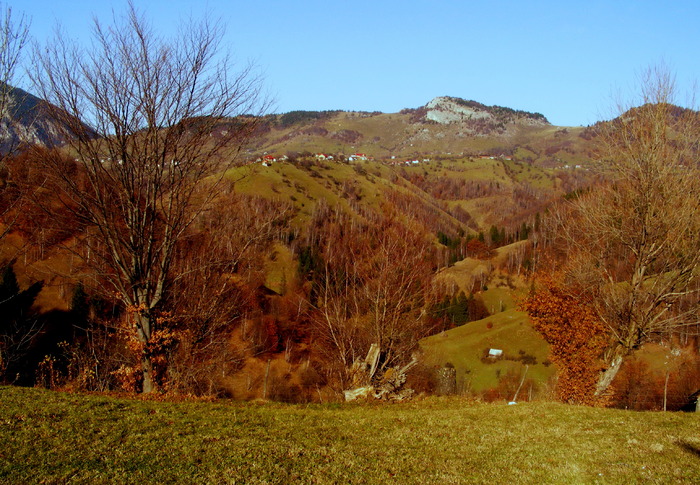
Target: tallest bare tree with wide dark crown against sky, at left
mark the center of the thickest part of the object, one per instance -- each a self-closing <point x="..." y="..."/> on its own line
<point x="152" y="124"/>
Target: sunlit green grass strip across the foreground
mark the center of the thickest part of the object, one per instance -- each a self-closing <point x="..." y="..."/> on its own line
<point x="51" y="437"/>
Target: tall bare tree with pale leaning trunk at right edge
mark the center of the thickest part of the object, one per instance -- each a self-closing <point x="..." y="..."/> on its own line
<point x="633" y="242"/>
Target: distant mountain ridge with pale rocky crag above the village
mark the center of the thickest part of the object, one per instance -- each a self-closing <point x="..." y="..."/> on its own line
<point x="446" y="125"/>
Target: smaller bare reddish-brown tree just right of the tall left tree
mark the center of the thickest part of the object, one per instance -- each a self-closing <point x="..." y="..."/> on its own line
<point x="219" y="268"/>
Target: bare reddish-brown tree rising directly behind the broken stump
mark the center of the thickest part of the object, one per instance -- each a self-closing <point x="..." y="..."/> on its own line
<point x="373" y="290"/>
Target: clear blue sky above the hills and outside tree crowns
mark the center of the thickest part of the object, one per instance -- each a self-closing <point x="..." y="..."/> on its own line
<point x="563" y="59"/>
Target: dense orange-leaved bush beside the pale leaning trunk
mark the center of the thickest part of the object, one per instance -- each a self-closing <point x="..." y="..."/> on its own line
<point x="577" y="338"/>
